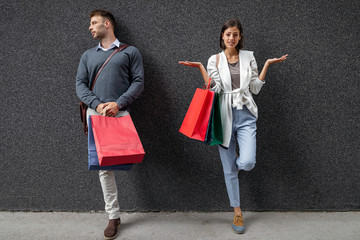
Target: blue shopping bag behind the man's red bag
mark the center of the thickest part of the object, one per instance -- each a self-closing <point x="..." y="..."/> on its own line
<point x="93" y="161"/>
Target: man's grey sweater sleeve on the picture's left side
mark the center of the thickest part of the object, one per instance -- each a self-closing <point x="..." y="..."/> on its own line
<point x="82" y="85"/>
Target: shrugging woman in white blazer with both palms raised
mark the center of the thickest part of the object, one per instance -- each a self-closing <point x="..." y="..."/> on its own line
<point x="234" y="75"/>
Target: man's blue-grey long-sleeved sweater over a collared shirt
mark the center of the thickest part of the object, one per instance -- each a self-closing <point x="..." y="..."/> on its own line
<point x="121" y="80"/>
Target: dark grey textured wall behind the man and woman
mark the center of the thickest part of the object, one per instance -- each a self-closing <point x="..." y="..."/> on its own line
<point x="308" y="127"/>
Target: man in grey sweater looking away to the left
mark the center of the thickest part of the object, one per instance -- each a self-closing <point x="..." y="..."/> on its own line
<point x="120" y="82"/>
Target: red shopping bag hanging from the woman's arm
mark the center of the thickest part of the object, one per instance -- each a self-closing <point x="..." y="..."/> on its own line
<point x="197" y="117"/>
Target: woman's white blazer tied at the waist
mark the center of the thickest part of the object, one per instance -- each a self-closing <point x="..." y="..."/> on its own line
<point x="249" y="83"/>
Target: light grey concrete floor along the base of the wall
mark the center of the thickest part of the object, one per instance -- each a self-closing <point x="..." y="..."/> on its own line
<point x="179" y="225"/>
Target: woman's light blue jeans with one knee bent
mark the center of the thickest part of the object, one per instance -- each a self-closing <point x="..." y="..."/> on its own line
<point x="244" y="131"/>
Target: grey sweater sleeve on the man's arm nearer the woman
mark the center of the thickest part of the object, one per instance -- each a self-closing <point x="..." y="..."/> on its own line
<point x="136" y="80"/>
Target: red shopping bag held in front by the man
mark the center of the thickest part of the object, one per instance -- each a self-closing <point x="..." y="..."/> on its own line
<point x="116" y="140"/>
